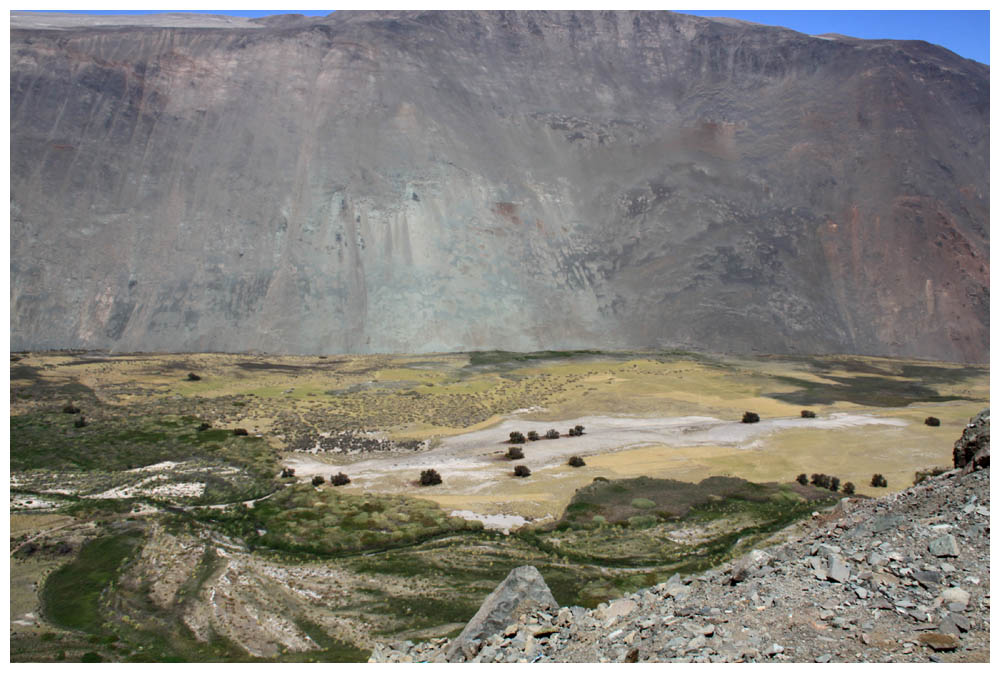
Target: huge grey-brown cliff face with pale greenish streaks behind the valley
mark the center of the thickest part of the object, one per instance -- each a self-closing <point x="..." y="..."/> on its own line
<point x="425" y="181"/>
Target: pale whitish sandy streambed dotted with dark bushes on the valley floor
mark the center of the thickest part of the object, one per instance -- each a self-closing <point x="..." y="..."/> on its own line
<point x="477" y="476"/>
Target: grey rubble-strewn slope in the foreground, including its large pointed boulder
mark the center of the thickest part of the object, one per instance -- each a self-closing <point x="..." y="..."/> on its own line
<point x="903" y="578"/>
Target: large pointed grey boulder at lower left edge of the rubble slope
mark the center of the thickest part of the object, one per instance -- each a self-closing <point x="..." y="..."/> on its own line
<point x="523" y="590"/>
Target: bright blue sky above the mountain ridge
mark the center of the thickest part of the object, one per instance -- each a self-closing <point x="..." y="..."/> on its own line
<point x="967" y="32"/>
